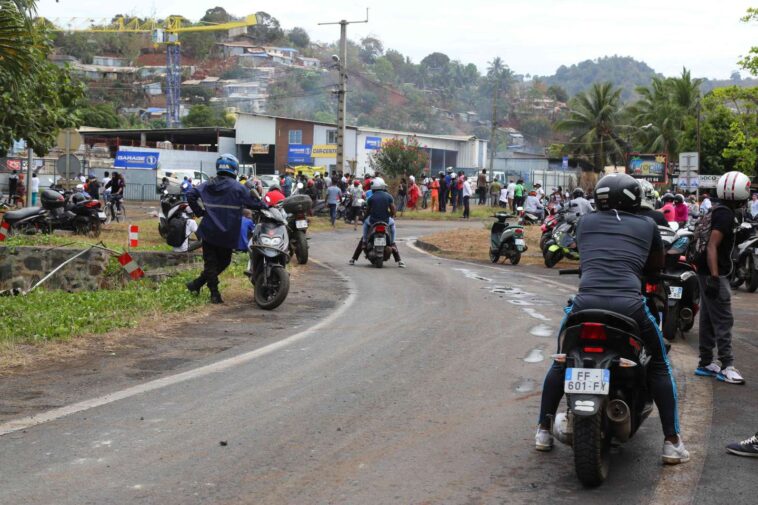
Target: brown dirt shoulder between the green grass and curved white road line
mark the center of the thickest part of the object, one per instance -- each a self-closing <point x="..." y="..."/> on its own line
<point x="62" y="373"/>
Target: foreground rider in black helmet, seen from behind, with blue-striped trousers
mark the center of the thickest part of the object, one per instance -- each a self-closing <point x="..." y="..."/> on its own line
<point x="617" y="247"/>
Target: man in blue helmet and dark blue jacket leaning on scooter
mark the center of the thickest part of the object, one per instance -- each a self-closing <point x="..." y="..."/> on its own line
<point x="219" y="202"/>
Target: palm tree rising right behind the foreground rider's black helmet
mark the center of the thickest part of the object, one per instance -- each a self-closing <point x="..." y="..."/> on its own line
<point x="593" y="124"/>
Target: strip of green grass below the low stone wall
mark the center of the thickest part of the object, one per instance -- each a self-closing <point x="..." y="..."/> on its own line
<point x="58" y="315"/>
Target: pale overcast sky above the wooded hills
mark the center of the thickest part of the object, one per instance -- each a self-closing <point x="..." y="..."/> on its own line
<point x="532" y="36"/>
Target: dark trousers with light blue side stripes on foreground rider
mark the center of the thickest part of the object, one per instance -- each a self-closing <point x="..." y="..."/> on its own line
<point x="660" y="377"/>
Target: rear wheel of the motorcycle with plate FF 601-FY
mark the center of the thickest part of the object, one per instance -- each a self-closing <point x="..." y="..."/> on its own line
<point x="592" y="444"/>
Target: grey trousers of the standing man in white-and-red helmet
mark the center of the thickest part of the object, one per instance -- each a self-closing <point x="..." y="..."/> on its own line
<point x="716" y="323"/>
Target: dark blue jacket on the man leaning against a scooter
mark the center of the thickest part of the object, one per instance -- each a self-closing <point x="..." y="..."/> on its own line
<point x="223" y="199"/>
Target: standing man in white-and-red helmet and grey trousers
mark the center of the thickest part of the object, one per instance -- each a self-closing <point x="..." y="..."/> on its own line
<point x="714" y="267"/>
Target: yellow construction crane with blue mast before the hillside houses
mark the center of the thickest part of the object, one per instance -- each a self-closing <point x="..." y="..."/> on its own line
<point x="164" y="31"/>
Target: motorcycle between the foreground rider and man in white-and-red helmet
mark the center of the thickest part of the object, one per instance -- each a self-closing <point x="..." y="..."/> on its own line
<point x="682" y="296"/>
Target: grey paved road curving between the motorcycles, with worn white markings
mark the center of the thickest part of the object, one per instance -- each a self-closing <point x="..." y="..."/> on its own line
<point x="423" y="390"/>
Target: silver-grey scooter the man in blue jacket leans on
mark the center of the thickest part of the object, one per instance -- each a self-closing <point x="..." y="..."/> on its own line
<point x="268" y="250"/>
